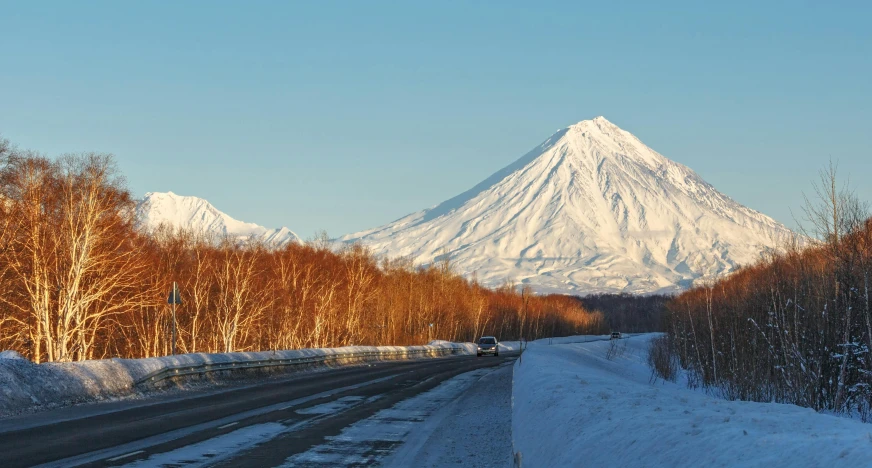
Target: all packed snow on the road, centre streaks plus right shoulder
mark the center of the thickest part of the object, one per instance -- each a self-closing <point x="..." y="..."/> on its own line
<point x="464" y="421"/>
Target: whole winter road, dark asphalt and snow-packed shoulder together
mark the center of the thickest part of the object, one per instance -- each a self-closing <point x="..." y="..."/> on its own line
<point x="349" y="417"/>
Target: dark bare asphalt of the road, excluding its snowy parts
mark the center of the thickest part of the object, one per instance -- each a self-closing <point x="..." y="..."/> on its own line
<point x="137" y="431"/>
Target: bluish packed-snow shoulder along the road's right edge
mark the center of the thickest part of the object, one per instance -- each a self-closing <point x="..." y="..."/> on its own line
<point x="458" y="423"/>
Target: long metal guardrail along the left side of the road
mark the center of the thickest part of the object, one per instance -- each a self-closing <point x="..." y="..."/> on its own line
<point x="183" y="370"/>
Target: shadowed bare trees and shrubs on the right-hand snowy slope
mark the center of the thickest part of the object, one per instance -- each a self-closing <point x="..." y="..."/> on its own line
<point x="794" y="328"/>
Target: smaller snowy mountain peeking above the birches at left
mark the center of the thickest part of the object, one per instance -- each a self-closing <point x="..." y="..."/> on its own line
<point x="199" y="215"/>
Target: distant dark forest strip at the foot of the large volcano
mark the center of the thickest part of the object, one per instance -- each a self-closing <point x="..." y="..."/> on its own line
<point x="629" y="313"/>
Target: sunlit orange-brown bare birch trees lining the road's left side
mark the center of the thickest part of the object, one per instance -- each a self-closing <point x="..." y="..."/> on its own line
<point x="80" y="280"/>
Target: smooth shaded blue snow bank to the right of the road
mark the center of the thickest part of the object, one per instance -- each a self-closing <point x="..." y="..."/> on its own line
<point x="572" y="406"/>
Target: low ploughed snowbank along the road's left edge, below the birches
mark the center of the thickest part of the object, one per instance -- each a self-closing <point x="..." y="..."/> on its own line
<point x="25" y="385"/>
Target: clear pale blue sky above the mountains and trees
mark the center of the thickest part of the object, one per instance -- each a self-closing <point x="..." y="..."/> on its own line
<point x="343" y="116"/>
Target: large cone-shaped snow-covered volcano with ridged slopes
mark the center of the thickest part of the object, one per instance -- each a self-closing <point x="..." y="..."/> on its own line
<point x="592" y="209"/>
